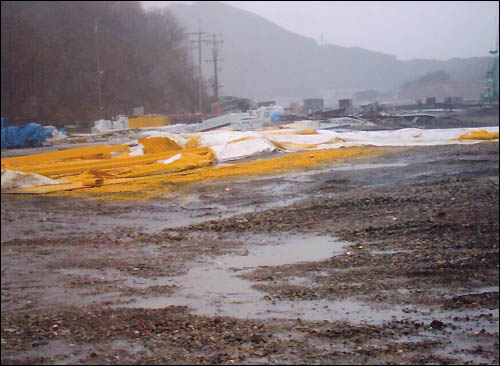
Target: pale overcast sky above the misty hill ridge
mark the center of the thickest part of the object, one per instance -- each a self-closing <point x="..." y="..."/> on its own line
<point x="431" y="30"/>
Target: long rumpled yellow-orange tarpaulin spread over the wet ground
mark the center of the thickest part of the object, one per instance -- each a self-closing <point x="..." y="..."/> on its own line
<point x="193" y="167"/>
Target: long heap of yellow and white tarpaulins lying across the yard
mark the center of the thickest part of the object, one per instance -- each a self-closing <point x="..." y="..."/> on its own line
<point x="159" y="157"/>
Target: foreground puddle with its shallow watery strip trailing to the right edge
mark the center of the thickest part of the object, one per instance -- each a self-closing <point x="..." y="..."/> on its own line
<point x="214" y="289"/>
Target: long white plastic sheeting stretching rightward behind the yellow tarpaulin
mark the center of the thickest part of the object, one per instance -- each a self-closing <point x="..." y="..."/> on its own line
<point x="233" y="145"/>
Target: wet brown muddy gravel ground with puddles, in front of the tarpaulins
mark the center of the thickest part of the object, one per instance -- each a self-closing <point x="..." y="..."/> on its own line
<point x="384" y="260"/>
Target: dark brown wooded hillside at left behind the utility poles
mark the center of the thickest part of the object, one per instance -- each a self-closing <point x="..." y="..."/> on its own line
<point x="71" y="61"/>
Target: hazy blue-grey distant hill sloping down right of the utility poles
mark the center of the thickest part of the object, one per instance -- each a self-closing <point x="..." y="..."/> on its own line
<point x="264" y="61"/>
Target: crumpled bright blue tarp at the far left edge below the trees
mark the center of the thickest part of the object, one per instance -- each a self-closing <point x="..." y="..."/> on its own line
<point x="30" y="135"/>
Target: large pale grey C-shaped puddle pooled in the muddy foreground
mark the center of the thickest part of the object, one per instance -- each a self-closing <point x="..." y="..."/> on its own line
<point x="214" y="287"/>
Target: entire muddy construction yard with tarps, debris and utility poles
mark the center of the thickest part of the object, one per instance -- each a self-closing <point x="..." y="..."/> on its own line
<point x="255" y="233"/>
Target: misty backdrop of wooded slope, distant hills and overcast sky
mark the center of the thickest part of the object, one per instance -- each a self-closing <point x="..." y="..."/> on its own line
<point x="107" y="58"/>
